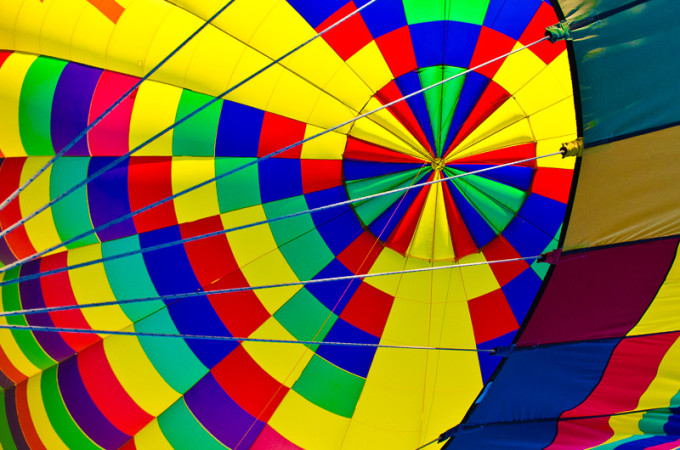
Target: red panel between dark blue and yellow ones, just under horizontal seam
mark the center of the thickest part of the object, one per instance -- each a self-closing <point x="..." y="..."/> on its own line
<point x="150" y="180"/>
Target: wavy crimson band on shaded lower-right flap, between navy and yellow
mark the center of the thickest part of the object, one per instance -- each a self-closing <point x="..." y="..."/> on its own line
<point x="631" y="369"/>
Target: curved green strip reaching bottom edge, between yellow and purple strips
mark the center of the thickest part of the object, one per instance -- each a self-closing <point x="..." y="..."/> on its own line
<point x="62" y="422"/>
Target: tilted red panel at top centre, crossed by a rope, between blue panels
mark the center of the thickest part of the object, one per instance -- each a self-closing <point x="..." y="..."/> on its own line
<point x="348" y="37"/>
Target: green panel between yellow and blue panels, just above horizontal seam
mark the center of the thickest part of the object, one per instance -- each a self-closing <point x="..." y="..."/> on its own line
<point x="197" y="135"/>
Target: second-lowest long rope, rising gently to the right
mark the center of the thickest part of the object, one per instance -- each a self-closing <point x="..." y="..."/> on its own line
<point x="50" y="309"/>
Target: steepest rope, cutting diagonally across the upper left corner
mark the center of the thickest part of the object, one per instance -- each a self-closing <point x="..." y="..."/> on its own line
<point x="101" y="117"/>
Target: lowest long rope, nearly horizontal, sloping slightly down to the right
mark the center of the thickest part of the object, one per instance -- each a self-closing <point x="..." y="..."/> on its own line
<point x="231" y="338"/>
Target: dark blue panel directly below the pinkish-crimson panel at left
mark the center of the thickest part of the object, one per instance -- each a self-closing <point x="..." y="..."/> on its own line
<point x="108" y="199"/>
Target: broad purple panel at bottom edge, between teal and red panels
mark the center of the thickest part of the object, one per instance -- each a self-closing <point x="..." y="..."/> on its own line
<point x="210" y="404"/>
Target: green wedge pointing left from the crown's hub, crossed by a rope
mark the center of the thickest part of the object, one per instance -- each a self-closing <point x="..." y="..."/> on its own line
<point x="370" y="210"/>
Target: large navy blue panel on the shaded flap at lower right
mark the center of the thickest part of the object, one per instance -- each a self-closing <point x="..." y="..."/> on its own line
<point x="542" y="383"/>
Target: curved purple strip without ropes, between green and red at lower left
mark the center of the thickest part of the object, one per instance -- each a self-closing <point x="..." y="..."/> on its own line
<point x="83" y="410"/>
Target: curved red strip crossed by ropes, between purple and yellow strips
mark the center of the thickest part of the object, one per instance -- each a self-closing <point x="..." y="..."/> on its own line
<point x="57" y="291"/>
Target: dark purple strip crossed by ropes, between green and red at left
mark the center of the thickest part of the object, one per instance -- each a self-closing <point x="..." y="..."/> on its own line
<point x="31" y="297"/>
